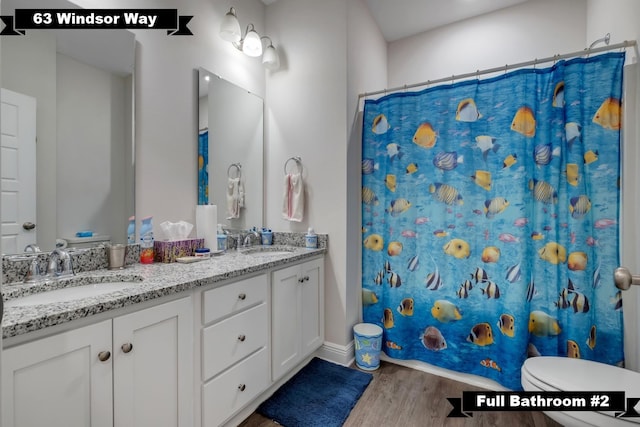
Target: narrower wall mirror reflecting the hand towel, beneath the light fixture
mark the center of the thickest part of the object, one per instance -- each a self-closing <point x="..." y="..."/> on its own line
<point x="230" y="151"/>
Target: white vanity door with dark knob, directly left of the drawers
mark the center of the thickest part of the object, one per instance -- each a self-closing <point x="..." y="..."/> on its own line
<point x="153" y="366"/>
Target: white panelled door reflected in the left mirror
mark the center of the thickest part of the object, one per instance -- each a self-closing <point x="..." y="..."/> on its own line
<point x="18" y="169"/>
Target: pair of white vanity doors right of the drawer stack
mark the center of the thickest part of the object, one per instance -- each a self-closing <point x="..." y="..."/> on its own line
<point x="297" y="314"/>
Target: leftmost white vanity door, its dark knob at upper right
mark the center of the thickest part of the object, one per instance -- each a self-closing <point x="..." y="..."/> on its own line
<point x="60" y="380"/>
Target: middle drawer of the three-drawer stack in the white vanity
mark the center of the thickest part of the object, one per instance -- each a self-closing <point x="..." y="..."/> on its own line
<point x="226" y="342"/>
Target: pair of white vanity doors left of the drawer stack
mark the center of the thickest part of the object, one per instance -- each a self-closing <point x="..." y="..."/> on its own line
<point x="132" y="370"/>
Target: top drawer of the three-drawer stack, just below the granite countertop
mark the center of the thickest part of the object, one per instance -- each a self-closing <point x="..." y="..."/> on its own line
<point x="226" y="300"/>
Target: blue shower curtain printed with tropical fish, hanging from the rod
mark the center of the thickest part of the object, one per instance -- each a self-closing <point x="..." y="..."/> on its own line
<point x="490" y="214"/>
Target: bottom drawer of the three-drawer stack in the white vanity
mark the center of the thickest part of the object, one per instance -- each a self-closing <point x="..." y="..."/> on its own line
<point x="226" y="394"/>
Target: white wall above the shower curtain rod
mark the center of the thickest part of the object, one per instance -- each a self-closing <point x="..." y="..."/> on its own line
<point x="534" y="29"/>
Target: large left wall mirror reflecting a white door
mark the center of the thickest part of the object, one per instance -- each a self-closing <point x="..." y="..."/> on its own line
<point x="80" y="176"/>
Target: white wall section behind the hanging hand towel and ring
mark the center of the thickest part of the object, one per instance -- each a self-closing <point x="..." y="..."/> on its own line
<point x="307" y="117"/>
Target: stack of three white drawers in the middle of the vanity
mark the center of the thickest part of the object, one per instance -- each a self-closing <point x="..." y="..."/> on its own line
<point x="235" y="356"/>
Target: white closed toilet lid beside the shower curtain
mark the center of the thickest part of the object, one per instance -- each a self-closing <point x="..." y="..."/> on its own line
<point x="564" y="373"/>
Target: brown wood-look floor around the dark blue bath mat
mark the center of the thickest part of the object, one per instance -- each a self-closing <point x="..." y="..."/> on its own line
<point x="400" y="396"/>
